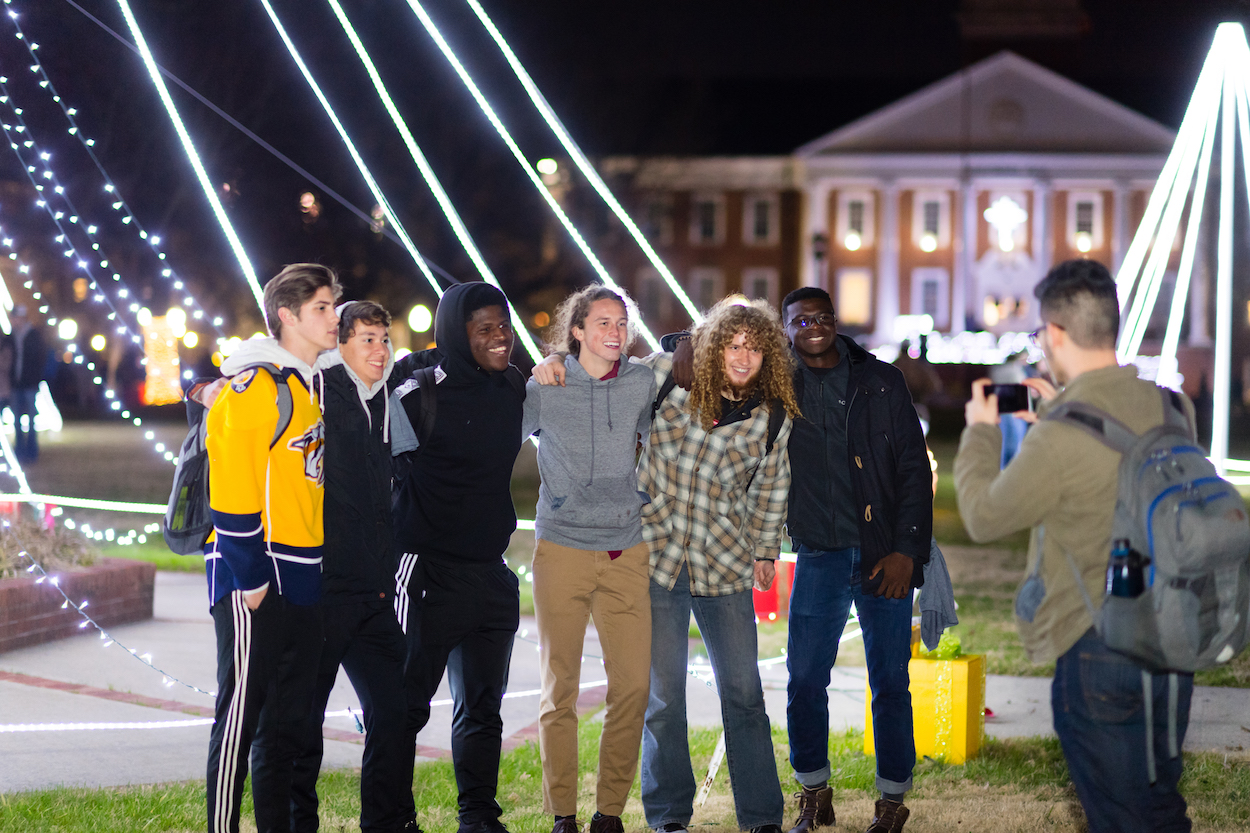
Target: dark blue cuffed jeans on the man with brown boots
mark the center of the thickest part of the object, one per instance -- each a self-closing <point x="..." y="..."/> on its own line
<point x="826" y="583"/>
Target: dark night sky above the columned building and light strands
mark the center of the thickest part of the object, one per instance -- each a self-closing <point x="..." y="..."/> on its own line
<point x="651" y="77"/>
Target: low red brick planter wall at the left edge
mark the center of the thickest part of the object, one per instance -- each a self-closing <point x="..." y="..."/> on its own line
<point x="121" y="591"/>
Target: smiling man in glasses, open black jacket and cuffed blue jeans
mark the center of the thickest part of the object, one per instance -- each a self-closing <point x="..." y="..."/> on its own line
<point x="862" y="520"/>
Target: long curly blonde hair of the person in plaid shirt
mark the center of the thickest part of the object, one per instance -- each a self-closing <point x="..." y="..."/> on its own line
<point x="728" y="318"/>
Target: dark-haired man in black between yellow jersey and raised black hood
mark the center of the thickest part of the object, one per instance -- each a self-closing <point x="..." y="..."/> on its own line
<point x="358" y="578"/>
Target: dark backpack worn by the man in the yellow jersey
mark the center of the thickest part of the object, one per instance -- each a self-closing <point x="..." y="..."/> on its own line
<point x="188" y="521"/>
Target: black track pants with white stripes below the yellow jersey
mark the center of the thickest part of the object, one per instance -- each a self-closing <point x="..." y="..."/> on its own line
<point x="267" y="664"/>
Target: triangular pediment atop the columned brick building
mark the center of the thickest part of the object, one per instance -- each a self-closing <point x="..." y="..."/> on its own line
<point x="1004" y="103"/>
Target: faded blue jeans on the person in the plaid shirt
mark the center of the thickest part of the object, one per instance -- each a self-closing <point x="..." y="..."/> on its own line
<point x="728" y="629"/>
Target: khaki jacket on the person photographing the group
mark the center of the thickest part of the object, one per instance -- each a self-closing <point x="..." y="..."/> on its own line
<point x="1063" y="481"/>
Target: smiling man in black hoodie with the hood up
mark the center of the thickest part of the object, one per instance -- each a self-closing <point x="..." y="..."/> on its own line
<point x="454" y="518"/>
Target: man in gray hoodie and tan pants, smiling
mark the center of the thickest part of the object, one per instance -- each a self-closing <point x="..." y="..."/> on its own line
<point x="591" y="560"/>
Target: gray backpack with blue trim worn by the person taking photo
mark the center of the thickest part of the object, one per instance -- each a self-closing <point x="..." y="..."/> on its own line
<point x="1177" y="511"/>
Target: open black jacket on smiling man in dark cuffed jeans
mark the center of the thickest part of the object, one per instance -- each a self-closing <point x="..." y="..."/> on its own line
<point x="889" y="468"/>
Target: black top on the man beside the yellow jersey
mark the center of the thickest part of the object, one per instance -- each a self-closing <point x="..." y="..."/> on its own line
<point x="359" y="558"/>
